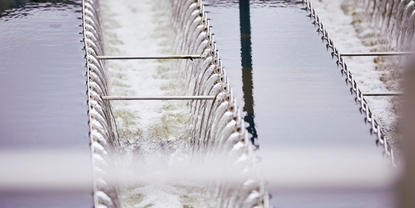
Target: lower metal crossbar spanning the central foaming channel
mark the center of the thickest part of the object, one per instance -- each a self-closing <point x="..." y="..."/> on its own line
<point x="158" y="98"/>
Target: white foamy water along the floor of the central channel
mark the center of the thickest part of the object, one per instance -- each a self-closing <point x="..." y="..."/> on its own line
<point x="151" y="133"/>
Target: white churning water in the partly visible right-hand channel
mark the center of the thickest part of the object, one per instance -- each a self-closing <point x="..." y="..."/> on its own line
<point x="385" y="26"/>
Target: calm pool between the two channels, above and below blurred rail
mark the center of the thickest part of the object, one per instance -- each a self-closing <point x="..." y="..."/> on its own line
<point x="299" y="98"/>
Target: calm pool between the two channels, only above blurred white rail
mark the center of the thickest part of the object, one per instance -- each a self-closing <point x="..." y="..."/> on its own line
<point x="289" y="68"/>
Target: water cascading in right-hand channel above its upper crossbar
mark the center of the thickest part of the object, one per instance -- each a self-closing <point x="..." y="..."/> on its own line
<point x="391" y="22"/>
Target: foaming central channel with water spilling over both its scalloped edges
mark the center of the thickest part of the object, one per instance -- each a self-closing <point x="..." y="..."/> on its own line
<point x="147" y="139"/>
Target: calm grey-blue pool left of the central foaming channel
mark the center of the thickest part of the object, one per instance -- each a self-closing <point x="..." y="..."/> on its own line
<point x="43" y="91"/>
